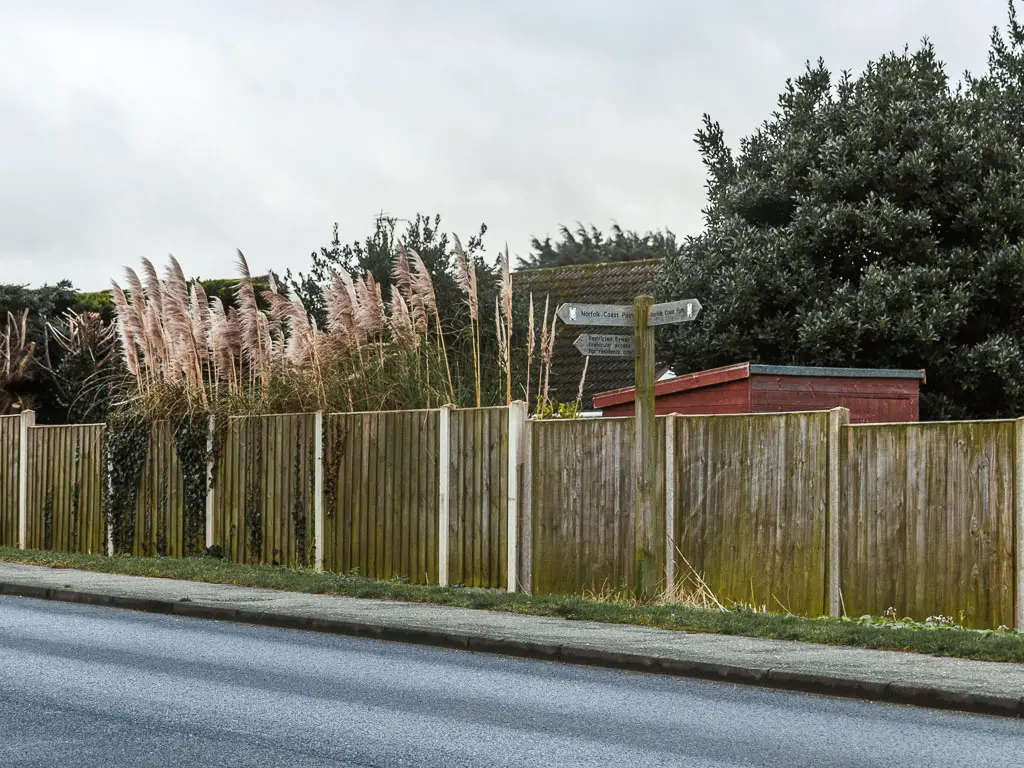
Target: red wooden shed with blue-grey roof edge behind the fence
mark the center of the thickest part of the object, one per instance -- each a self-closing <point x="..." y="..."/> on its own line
<point x="872" y="395"/>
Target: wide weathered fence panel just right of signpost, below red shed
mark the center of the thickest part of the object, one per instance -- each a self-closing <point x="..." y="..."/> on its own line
<point x="751" y="508"/>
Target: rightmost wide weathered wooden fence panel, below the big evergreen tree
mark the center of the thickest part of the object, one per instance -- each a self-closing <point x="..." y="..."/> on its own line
<point x="928" y="522"/>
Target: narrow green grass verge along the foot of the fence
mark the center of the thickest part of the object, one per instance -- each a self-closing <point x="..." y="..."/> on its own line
<point x="884" y="633"/>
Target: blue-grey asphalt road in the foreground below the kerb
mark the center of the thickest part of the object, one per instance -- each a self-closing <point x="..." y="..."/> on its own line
<point x="84" y="687"/>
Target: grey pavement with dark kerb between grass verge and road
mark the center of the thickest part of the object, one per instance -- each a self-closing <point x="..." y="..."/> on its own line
<point x="906" y="678"/>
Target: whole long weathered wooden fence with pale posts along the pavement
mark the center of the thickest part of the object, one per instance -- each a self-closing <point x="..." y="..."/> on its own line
<point x="795" y="511"/>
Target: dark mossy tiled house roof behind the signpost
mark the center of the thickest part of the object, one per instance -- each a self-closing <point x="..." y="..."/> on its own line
<point x="617" y="283"/>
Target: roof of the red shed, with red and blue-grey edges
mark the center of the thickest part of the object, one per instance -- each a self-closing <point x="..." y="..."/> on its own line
<point x="745" y="371"/>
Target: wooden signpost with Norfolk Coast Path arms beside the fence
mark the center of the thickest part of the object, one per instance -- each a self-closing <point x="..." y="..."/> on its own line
<point x="643" y="317"/>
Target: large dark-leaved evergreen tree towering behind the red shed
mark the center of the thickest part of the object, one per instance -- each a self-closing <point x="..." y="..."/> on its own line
<point x="876" y="222"/>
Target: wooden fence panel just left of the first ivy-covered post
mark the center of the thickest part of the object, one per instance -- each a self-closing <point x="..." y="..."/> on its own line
<point x="67" y="473"/>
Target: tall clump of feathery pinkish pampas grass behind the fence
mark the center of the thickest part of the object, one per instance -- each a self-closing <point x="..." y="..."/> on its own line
<point x="264" y="353"/>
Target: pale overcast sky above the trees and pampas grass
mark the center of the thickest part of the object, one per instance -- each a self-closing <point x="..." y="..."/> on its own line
<point x="132" y="130"/>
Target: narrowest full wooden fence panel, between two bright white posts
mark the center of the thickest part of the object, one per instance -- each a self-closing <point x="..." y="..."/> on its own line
<point x="479" y="498"/>
